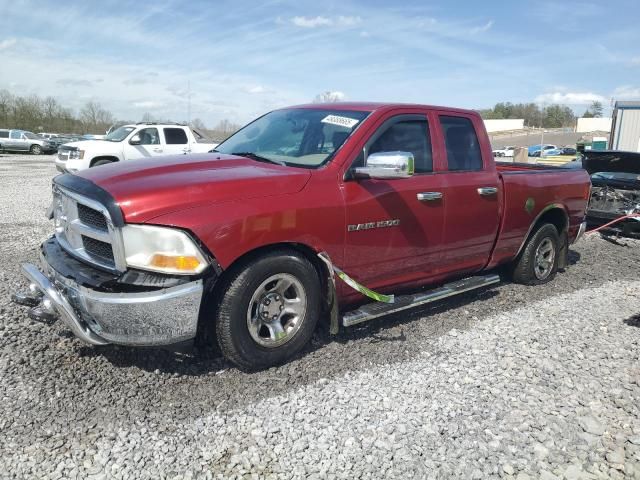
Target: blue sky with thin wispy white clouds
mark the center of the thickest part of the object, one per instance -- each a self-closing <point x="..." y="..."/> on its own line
<point x="236" y="60"/>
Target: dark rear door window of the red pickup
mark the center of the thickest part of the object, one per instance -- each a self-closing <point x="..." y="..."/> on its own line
<point x="461" y="141"/>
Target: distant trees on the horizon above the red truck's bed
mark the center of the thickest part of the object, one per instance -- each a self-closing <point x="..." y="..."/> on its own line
<point x="551" y="116"/>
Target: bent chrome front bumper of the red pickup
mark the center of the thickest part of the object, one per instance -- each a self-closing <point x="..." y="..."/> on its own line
<point x="156" y="317"/>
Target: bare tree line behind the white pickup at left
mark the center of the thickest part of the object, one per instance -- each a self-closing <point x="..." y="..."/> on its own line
<point x="46" y="114"/>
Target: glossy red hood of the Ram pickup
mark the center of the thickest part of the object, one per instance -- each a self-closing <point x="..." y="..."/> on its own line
<point x="147" y="188"/>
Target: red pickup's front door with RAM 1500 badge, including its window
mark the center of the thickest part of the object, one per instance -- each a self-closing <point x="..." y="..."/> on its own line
<point x="394" y="227"/>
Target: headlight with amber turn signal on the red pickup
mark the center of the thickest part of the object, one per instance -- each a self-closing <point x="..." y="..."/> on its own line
<point x="162" y="249"/>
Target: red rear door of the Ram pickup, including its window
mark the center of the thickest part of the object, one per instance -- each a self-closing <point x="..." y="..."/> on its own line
<point x="471" y="194"/>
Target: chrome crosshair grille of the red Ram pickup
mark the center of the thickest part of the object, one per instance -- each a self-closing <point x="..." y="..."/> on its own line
<point x="83" y="227"/>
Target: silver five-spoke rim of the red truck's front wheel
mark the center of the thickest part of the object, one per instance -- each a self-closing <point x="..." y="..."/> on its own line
<point x="276" y="310"/>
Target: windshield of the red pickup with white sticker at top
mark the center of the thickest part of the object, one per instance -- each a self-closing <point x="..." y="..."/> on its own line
<point x="299" y="137"/>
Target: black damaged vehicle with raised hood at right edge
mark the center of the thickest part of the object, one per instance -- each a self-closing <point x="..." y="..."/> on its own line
<point x="615" y="191"/>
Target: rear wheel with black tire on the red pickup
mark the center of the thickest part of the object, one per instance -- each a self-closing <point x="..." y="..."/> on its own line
<point x="526" y="268"/>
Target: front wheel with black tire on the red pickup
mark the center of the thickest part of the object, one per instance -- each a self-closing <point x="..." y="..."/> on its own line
<point x="239" y="301"/>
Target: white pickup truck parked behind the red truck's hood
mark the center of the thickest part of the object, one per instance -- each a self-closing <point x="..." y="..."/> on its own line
<point x="131" y="142"/>
